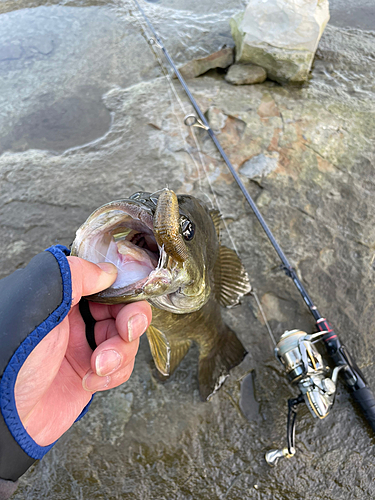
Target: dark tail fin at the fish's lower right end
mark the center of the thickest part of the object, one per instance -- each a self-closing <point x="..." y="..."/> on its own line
<point x="214" y="368"/>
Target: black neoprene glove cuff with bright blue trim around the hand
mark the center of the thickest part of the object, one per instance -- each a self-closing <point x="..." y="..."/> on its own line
<point x="33" y="301"/>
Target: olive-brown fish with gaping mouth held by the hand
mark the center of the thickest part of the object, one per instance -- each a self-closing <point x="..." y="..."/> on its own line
<point x="167" y="249"/>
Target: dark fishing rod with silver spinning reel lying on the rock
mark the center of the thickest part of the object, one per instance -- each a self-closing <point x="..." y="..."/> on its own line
<point x="295" y="350"/>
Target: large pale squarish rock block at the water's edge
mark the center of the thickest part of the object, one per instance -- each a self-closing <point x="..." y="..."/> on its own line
<point x="280" y="35"/>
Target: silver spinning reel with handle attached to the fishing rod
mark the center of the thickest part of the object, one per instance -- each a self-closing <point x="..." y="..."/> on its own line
<point x="317" y="383"/>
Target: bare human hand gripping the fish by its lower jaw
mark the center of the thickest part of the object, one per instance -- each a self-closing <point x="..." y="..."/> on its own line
<point x="60" y="375"/>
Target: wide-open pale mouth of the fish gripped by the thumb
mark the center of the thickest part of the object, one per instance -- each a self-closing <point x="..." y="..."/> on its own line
<point x="122" y="232"/>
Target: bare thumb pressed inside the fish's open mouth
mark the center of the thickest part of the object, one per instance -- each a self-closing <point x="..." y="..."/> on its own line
<point x="89" y="278"/>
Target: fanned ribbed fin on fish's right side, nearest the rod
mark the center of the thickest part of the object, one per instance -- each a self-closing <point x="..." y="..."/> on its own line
<point x="231" y="279"/>
